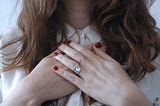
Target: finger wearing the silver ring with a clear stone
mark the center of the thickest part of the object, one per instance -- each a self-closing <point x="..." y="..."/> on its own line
<point x="71" y="64"/>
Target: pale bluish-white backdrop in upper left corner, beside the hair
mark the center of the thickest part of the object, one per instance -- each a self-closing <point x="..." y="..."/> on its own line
<point x="9" y="12"/>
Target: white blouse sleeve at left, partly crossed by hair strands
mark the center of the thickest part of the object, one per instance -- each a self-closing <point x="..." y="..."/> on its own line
<point x="9" y="79"/>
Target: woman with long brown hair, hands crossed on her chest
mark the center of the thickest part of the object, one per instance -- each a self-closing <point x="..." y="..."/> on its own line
<point x="123" y="29"/>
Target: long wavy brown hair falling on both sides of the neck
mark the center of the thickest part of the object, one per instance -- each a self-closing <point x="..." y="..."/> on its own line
<point x="125" y="25"/>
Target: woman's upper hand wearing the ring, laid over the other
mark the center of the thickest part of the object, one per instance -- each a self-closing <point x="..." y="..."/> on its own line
<point x="101" y="77"/>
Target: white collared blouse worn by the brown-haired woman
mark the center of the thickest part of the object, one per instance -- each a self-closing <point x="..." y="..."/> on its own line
<point x="9" y="80"/>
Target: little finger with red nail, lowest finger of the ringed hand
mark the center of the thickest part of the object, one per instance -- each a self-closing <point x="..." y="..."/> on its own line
<point x="68" y="76"/>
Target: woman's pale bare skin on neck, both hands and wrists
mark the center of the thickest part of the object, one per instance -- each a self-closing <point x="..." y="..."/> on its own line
<point x="46" y="84"/>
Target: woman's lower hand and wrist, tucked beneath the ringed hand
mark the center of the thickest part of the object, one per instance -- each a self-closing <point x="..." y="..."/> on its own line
<point x="40" y="85"/>
